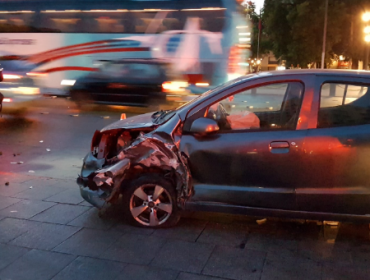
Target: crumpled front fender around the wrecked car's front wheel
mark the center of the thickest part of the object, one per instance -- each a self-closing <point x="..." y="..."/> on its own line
<point x="153" y="152"/>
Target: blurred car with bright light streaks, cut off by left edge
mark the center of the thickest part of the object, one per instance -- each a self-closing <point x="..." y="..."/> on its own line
<point x="18" y="80"/>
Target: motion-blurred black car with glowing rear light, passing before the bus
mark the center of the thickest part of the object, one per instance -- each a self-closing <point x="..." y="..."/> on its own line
<point x="137" y="82"/>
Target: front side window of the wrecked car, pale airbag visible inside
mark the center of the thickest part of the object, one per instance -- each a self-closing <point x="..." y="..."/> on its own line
<point x="274" y="106"/>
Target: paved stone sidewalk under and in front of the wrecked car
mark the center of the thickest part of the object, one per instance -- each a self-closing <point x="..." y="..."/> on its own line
<point x="47" y="231"/>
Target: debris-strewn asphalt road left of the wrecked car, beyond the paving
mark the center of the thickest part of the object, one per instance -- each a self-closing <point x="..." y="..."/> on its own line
<point x="52" y="136"/>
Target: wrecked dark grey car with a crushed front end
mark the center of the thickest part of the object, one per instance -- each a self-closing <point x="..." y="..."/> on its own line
<point x="286" y="143"/>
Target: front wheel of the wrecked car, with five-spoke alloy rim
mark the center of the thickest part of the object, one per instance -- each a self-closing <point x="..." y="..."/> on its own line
<point x="150" y="202"/>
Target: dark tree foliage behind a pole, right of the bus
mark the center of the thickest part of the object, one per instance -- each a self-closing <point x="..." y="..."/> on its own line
<point x="294" y="29"/>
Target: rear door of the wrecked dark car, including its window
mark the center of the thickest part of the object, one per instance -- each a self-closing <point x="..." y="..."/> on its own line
<point x="336" y="175"/>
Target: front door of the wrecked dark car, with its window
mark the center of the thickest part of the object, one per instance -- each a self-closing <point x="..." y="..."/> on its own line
<point x="255" y="161"/>
